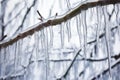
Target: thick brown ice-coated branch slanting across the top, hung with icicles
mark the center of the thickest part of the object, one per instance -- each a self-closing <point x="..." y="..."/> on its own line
<point x="59" y="19"/>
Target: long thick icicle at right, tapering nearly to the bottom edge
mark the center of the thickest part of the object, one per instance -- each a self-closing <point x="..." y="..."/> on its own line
<point x="107" y="40"/>
